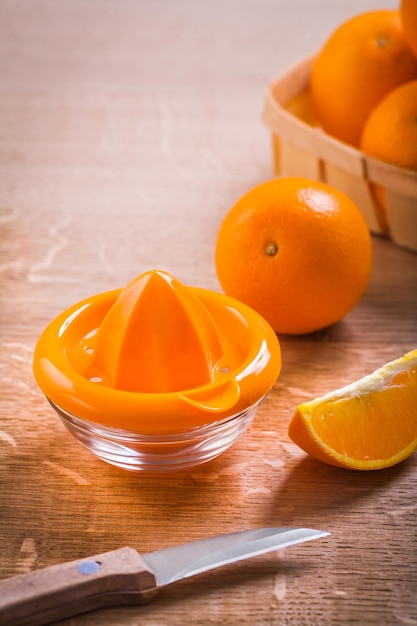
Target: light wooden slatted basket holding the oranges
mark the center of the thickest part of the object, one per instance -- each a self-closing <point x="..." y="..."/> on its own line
<point x="301" y="148"/>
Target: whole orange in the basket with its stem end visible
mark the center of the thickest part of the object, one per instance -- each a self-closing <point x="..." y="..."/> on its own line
<point x="364" y="59"/>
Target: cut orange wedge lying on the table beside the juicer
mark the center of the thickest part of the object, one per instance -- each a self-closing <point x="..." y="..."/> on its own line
<point x="369" y="424"/>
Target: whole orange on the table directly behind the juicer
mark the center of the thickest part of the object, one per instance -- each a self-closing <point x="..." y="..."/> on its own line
<point x="297" y="251"/>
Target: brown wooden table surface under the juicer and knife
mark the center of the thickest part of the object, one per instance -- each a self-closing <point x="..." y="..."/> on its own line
<point x="127" y="130"/>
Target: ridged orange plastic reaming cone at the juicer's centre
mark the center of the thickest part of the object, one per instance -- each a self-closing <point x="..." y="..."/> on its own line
<point x="157" y="337"/>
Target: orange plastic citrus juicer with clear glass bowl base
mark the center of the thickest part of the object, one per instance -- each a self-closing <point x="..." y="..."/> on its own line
<point x="157" y="375"/>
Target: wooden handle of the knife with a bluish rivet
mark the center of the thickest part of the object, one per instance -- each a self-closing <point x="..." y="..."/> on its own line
<point x="119" y="577"/>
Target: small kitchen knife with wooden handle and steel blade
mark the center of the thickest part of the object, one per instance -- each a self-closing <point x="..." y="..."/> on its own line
<point x="123" y="576"/>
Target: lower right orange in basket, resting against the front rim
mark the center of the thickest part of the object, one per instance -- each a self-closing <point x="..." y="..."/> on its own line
<point x="390" y="133"/>
